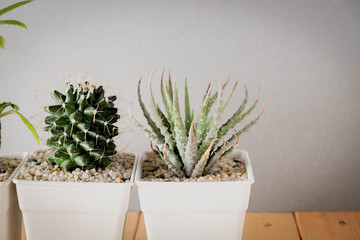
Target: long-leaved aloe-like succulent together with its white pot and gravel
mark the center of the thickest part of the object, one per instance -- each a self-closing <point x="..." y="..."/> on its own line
<point x="193" y="185"/>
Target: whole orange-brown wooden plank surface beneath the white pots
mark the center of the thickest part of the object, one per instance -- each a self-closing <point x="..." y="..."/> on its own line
<point x="279" y="226"/>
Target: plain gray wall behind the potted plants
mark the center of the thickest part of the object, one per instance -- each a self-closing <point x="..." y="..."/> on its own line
<point x="305" y="55"/>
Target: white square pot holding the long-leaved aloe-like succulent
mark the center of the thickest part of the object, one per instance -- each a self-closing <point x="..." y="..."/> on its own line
<point x="194" y="210"/>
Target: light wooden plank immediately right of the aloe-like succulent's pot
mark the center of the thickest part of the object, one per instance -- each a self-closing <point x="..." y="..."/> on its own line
<point x="263" y="226"/>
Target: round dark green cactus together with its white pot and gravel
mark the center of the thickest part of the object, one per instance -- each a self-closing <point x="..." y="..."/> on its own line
<point x="80" y="188"/>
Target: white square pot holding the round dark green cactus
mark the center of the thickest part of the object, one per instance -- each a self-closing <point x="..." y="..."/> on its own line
<point x="73" y="211"/>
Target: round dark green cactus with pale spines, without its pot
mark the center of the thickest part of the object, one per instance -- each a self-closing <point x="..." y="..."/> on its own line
<point x="82" y="127"/>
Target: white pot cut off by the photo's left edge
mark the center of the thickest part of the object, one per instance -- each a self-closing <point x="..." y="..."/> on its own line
<point x="10" y="215"/>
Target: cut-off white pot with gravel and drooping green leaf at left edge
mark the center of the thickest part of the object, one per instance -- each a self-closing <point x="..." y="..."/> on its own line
<point x="10" y="163"/>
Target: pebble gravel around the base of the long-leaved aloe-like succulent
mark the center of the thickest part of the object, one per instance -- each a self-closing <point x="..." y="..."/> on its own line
<point x="225" y="170"/>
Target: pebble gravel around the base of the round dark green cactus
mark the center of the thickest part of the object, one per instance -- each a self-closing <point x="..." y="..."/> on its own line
<point x="38" y="168"/>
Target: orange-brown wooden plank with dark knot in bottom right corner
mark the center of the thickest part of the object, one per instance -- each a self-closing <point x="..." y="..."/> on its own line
<point x="328" y="225"/>
